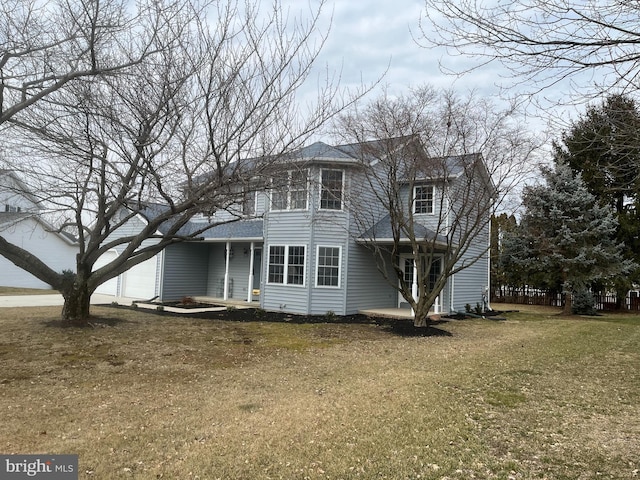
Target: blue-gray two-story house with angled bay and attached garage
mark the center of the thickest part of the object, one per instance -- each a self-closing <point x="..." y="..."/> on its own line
<point x="297" y="249"/>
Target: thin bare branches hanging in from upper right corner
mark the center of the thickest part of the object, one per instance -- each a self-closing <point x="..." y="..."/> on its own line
<point x="543" y="42"/>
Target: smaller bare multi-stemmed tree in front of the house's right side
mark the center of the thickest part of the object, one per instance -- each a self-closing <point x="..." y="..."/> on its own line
<point x="443" y="166"/>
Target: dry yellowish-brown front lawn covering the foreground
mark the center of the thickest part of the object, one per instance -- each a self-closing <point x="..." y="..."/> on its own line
<point x="146" y="396"/>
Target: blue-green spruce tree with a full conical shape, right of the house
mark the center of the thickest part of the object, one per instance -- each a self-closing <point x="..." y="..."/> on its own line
<point x="566" y="236"/>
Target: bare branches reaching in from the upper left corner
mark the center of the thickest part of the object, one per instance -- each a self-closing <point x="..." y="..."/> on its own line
<point x="46" y="44"/>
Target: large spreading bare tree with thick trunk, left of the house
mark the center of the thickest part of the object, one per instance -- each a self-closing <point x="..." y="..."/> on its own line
<point x="166" y="137"/>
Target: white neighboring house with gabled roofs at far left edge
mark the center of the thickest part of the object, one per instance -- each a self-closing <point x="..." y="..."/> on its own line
<point x="22" y="224"/>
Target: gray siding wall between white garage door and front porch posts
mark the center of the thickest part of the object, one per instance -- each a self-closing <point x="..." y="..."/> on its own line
<point x="185" y="270"/>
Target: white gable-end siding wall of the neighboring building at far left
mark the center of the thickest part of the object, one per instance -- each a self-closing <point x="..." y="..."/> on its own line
<point x="54" y="251"/>
